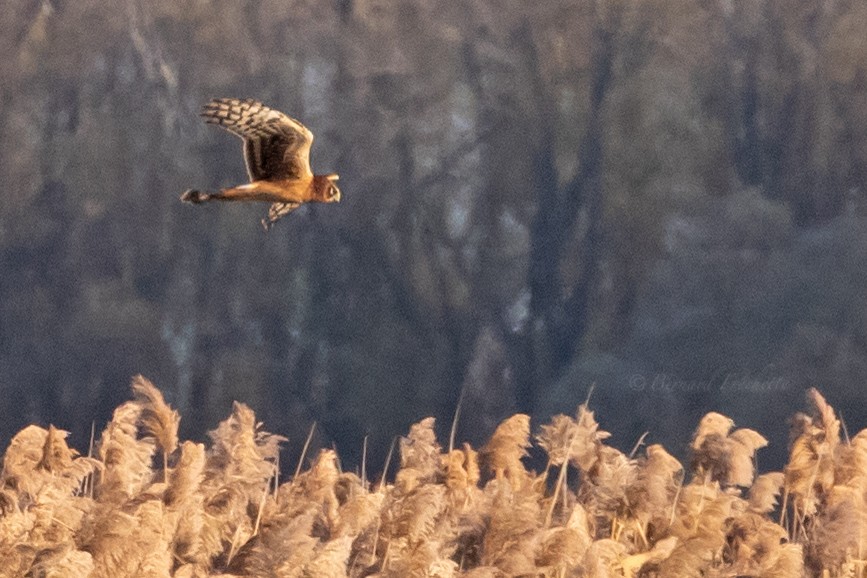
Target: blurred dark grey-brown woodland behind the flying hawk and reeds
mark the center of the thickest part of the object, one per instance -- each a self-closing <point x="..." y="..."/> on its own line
<point x="661" y="198"/>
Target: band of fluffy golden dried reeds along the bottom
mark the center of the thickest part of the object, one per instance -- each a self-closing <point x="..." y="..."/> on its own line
<point x="149" y="506"/>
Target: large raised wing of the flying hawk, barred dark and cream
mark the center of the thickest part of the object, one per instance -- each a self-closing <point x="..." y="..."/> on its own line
<point x="276" y="146"/>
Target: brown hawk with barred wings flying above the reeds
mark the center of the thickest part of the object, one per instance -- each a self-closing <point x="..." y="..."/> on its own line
<point x="277" y="155"/>
